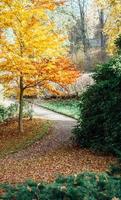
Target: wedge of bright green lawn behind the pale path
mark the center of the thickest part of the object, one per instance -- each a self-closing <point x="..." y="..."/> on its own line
<point x="69" y="107"/>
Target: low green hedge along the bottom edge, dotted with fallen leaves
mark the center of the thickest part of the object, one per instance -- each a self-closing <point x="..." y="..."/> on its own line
<point x="86" y="186"/>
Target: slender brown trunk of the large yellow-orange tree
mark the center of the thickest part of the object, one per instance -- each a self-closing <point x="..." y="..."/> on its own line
<point x="20" y="123"/>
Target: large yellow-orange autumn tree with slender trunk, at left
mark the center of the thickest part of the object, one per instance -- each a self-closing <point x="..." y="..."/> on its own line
<point x="33" y="52"/>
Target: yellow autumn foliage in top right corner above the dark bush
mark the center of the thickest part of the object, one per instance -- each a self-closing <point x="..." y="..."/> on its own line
<point x="112" y="26"/>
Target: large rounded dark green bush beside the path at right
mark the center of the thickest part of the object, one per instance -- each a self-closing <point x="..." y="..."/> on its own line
<point x="99" y="126"/>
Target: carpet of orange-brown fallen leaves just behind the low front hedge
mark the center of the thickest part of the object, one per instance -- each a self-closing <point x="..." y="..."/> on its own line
<point x="48" y="167"/>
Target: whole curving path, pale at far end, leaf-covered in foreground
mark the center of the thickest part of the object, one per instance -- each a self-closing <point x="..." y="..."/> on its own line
<point x="51" y="156"/>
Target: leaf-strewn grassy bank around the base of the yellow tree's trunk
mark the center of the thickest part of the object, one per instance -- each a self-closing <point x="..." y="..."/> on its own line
<point x="12" y="141"/>
